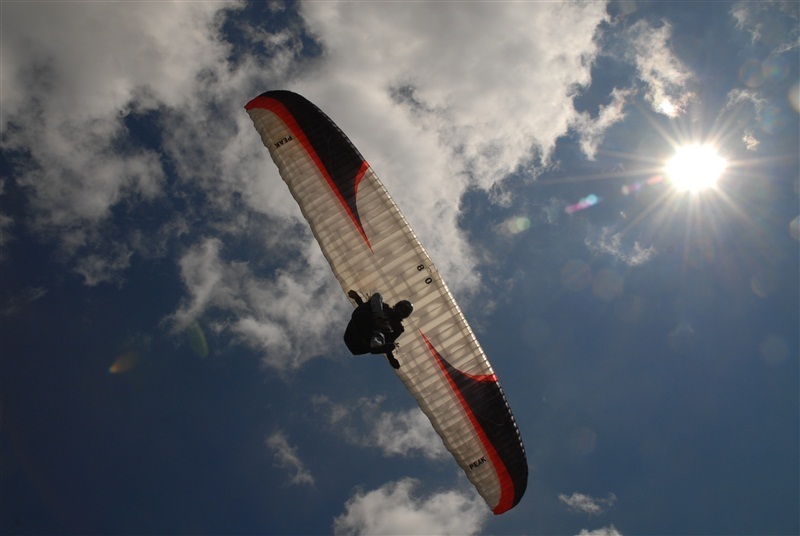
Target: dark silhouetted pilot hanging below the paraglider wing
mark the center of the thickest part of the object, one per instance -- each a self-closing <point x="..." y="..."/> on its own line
<point x="375" y="326"/>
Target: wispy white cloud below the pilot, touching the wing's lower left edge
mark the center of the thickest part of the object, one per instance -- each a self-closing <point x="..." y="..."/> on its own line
<point x="402" y="433"/>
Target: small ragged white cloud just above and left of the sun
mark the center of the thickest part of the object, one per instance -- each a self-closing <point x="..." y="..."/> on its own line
<point x="665" y="76"/>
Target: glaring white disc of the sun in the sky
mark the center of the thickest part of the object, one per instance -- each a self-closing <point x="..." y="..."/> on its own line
<point x="695" y="168"/>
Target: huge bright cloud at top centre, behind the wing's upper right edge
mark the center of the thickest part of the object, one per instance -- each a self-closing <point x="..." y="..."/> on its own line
<point x="439" y="96"/>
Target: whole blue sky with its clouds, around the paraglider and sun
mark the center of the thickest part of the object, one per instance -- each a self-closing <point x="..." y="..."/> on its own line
<point x="171" y="344"/>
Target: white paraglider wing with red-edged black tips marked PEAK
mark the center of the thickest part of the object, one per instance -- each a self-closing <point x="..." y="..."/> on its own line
<point x="371" y="248"/>
